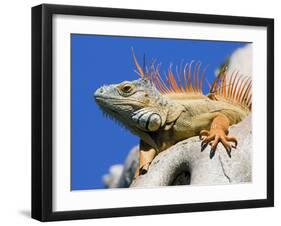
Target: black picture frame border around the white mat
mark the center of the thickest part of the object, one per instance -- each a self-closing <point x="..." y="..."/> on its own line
<point x="42" y="111"/>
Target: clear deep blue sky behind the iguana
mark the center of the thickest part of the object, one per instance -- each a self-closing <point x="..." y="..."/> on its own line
<point x="98" y="142"/>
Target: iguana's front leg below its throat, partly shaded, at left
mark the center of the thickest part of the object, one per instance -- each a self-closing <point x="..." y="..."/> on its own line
<point x="146" y="155"/>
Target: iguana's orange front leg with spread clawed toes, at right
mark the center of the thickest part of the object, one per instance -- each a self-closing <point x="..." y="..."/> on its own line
<point x="218" y="133"/>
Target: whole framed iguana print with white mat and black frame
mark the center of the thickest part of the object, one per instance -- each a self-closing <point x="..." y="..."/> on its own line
<point x="145" y="112"/>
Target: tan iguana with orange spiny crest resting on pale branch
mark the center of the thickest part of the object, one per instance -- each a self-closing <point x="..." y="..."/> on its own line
<point x="164" y="113"/>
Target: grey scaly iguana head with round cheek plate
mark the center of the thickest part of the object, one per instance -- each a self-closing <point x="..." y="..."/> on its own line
<point x="136" y="104"/>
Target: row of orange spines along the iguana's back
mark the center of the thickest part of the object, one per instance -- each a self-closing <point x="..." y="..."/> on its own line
<point x="235" y="88"/>
